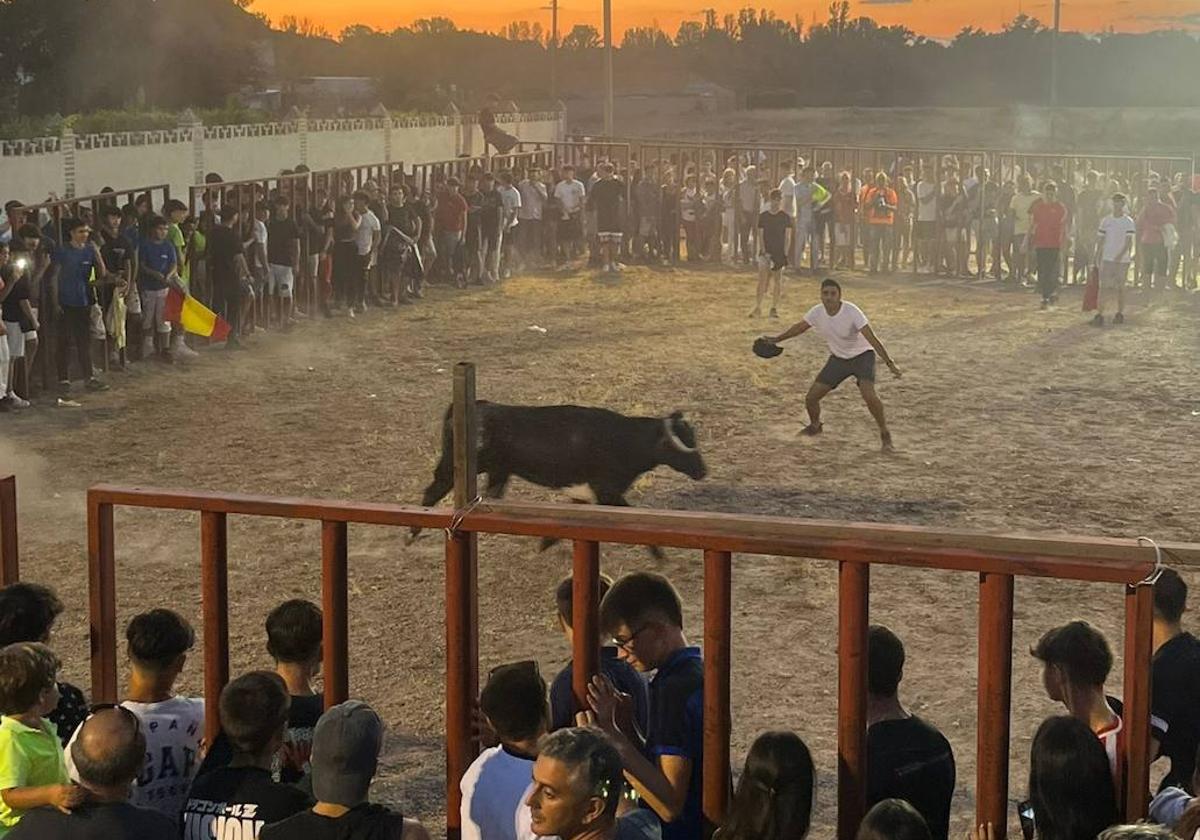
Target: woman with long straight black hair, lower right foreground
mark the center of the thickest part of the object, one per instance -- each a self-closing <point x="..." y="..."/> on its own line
<point x="1071" y="785"/>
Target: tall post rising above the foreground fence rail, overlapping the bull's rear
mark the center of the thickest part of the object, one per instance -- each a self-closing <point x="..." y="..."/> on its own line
<point x="463" y="601"/>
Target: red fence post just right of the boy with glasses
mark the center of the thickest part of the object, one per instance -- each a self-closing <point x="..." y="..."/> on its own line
<point x="718" y="634"/>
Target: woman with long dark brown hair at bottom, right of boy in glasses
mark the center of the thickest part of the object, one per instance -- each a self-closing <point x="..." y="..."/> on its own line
<point x="775" y="796"/>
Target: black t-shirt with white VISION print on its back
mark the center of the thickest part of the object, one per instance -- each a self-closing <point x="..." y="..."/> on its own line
<point x="245" y="796"/>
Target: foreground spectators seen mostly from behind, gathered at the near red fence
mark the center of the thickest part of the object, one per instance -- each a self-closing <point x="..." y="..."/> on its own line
<point x="628" y="766"/>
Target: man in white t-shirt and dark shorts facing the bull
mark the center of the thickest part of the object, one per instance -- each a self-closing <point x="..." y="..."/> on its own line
<point x="853" y="351"/>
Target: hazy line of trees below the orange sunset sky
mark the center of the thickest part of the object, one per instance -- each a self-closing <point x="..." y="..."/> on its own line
<point x="65" y="56"/>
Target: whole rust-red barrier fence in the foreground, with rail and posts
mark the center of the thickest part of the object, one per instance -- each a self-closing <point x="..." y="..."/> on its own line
<point x="998" y="561"/>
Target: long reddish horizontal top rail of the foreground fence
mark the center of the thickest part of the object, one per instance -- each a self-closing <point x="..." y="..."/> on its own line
<point x="1103" y="560"/>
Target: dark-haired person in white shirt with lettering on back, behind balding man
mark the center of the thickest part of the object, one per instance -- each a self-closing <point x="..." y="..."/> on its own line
<point x="158" y="644"/>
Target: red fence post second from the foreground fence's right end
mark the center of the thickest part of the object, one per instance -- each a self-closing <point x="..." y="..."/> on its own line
<point x="995" y="695"/>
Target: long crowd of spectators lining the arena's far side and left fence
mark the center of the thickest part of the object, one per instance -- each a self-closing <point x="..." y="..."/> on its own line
<point x="267" y="254"/>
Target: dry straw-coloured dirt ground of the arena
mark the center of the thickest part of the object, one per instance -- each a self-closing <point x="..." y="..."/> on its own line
<point x="1007" y="419"/>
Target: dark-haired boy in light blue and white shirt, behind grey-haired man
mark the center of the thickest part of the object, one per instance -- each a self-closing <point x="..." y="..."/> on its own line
<point x="495" y="787"/>
